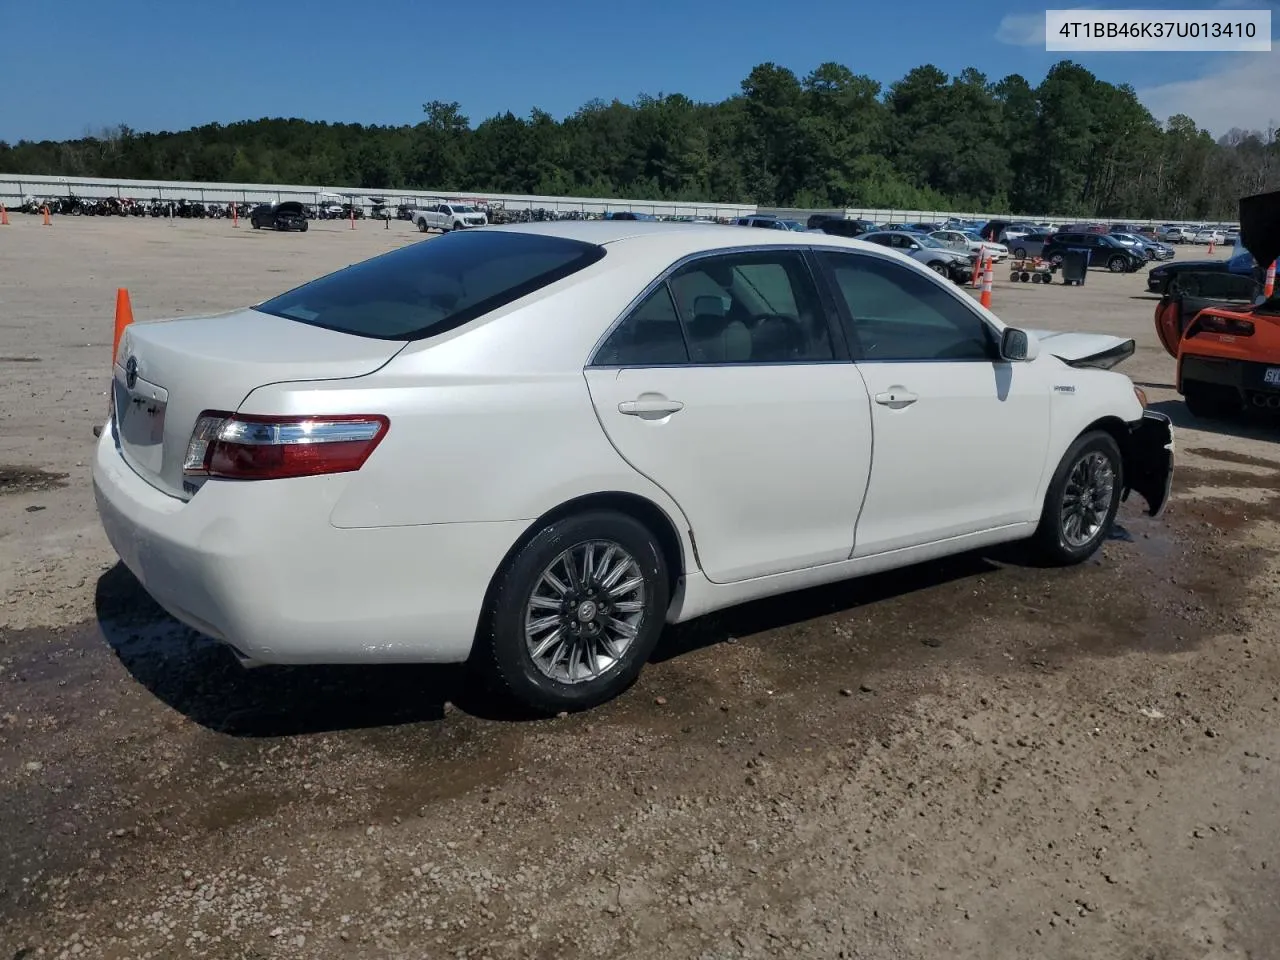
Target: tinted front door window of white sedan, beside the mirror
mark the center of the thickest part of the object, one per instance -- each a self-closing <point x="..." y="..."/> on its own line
<point x="897" y="314"/>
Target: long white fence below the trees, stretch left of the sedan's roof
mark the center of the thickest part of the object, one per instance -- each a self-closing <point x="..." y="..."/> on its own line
<point x="15" y="189"/>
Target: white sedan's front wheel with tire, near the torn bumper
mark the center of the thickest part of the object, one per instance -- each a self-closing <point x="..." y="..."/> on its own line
<point x="1082" y="501"/>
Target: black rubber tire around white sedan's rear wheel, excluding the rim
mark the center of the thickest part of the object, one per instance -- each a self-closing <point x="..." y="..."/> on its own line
<point x="506" y="655"/>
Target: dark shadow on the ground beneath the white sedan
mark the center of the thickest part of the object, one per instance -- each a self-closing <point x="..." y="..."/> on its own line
<point x="200" y="679"/>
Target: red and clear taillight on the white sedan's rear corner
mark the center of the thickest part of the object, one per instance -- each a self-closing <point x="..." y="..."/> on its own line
<point x="239" y="447"/>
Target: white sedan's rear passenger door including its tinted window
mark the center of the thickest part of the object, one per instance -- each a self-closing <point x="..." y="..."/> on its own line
<point x="730" y="390"/>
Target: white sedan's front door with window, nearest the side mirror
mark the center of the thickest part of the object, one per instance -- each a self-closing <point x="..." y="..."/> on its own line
<point x="961" y="437"/>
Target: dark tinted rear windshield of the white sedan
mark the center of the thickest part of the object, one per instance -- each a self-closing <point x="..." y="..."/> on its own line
<point x="435" y="286"/>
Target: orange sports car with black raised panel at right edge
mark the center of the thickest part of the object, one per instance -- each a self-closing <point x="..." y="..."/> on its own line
<point x="1223" y="332"/>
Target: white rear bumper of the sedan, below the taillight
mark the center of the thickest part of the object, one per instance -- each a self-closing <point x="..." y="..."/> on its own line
<point x="259" y="568"/>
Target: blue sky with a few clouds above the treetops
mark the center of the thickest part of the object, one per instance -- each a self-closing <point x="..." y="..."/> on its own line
<point x="74" y="66"/>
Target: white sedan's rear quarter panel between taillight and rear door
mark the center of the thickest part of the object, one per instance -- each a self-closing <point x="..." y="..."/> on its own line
<point x="488" y="423"/>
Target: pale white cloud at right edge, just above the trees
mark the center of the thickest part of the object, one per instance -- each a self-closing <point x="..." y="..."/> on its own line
<point x="1242" y="94"/>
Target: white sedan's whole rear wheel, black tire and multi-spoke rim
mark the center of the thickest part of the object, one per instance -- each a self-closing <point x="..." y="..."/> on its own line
<point x="575" y="614"/>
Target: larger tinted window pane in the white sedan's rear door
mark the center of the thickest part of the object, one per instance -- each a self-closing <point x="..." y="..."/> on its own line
<point x="757" y="308"/>
